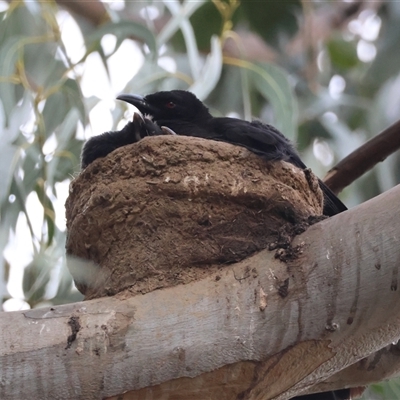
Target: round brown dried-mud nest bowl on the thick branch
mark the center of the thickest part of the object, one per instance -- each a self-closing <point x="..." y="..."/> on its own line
<point x="169" y="210"/>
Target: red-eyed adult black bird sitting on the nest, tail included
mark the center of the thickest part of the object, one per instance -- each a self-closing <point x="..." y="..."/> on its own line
<point x="185" y="114"/>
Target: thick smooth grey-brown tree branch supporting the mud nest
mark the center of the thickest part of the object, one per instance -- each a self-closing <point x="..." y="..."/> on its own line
<point x="342" y="305"/>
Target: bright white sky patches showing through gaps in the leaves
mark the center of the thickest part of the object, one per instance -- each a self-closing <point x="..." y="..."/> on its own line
<point x="95" y="82"/>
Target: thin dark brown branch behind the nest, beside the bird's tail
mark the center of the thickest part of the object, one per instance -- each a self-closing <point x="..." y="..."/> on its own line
<point x="364" y="158"/>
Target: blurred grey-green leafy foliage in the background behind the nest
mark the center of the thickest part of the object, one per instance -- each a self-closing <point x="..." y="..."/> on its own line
<point x="329" y="90"/>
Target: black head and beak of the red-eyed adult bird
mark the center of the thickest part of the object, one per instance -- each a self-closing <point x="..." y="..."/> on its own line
<point x="169" y="105"/>
